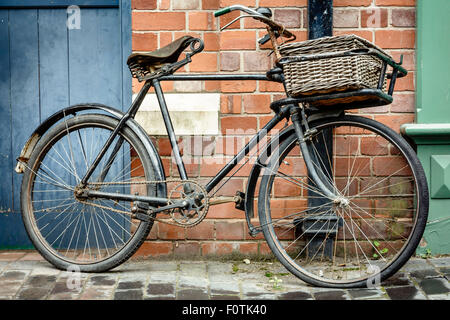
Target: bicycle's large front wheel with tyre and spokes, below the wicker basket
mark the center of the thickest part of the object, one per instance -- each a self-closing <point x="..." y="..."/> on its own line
<point x="375" y="225"/>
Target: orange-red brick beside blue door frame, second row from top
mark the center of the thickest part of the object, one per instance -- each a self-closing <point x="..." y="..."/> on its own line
<point x="158" y="21"/>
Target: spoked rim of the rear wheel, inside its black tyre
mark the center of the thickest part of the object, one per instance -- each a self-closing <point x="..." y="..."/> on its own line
<point x="94" y="231"/>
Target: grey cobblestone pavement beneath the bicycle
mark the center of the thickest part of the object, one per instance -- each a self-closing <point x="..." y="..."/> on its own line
<point x="25" y="275"/>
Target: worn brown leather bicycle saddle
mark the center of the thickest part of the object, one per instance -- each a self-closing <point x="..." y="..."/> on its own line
<point x="154" y="60"/>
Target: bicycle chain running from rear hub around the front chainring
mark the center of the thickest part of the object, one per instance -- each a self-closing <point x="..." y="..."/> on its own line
<point x="151" y="182"/>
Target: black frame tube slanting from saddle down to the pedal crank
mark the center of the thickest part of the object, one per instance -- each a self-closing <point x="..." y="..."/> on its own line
<point x="169" y="128"/>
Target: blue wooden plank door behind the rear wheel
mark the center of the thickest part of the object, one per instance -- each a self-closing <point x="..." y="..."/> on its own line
<point x="49" y="61"/>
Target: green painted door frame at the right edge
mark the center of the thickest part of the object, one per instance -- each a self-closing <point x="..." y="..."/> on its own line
<point x="431" y="132"/>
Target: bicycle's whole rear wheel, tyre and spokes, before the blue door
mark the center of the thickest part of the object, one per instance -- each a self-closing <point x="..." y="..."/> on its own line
<point x="93" y="234"/>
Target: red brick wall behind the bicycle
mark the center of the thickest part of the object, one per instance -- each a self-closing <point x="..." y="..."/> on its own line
<point x="244" y="109"/>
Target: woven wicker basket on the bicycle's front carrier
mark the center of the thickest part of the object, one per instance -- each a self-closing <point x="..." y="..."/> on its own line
<point x="331" y="75"/>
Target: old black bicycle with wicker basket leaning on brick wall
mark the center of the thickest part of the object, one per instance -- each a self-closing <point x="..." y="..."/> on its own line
<point x="341" y="199"/>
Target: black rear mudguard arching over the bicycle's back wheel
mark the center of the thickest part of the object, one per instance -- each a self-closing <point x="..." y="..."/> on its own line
<point x="73" y="110"/>
